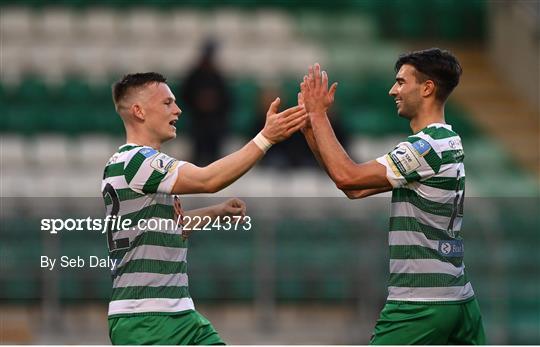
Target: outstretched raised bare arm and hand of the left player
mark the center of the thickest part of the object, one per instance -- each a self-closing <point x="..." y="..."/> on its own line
<point x="223" y="172"/>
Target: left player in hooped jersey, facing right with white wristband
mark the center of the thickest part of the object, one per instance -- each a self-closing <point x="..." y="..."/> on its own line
<point x="150" y="301"/>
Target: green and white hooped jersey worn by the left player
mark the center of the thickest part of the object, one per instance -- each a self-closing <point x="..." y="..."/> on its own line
<point x="150" y="273"/>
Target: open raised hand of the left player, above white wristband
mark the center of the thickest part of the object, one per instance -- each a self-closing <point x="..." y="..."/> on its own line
<point x="280" y="126"/>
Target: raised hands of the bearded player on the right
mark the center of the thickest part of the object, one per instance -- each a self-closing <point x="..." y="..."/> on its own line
<point x="316" y="96"/>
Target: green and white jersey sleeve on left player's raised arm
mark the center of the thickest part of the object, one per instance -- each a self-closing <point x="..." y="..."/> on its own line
<point x="150" y="171"/>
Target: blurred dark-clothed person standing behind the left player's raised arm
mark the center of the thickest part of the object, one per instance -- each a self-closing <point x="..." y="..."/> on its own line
<point x="205" y="94"/>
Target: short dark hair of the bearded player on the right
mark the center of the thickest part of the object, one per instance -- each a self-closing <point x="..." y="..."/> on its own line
<point x="440" y="66"/>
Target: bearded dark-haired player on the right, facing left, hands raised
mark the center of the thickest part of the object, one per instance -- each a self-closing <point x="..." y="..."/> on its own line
<point x="430" y="300"/>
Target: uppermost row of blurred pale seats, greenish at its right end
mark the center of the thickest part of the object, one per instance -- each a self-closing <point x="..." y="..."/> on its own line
<point x="59" y="24"/>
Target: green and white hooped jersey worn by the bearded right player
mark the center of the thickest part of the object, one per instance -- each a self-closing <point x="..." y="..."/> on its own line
<point x="426" y="248"/>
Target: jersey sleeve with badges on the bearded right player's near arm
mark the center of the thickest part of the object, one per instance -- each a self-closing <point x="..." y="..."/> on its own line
<point x="413" y="160"/>
